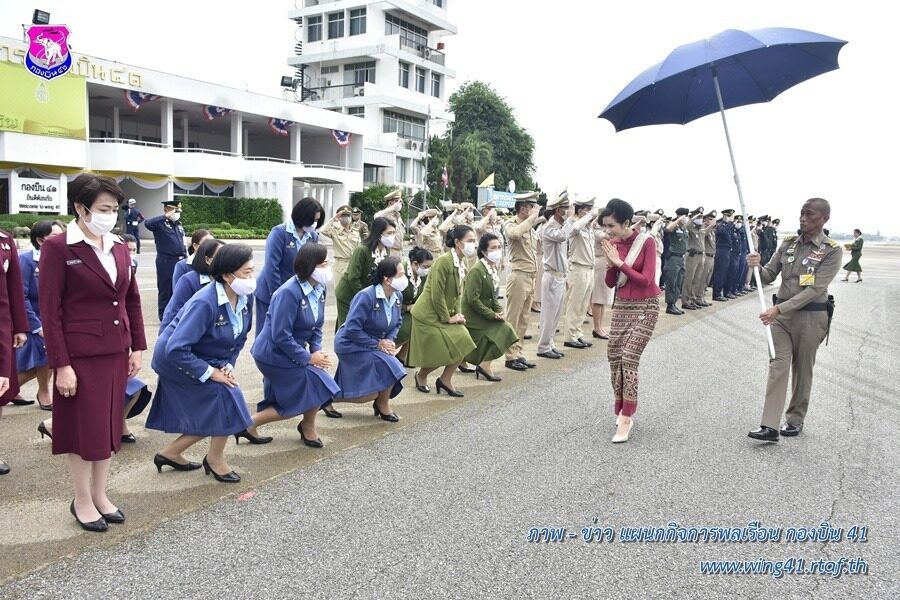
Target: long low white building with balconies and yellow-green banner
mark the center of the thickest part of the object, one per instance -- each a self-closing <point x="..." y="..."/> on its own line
<point x="188" y="137"/>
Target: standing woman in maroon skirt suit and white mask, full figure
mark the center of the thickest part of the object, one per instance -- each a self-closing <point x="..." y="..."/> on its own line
<point x="94" y="333"/>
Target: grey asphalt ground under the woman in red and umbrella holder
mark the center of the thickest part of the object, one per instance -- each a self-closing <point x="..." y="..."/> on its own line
<point x="441" y="508"/>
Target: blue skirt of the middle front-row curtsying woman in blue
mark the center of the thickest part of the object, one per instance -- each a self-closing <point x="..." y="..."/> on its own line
<point x="293" y="391"/>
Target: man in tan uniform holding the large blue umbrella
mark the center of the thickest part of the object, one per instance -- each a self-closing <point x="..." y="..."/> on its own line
<point x="799" y="319"/>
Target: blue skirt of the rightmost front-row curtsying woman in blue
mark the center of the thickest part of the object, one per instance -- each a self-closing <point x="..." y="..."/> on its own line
<point x="368" y="372"/>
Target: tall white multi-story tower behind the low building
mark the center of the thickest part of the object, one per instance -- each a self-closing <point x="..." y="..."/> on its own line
<point x="383" y="62"/>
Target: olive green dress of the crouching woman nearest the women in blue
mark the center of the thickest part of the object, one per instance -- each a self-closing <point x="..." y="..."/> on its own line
<point x="435" y="342"/>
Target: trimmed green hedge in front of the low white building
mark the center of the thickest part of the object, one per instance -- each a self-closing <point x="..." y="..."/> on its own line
<point x="198" y="212"/>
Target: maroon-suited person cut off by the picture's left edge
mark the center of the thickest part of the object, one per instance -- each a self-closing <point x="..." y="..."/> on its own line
<point x="13" y="322"/>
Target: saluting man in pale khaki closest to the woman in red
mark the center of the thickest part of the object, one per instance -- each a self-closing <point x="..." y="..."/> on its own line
<point x="580" y="280"/>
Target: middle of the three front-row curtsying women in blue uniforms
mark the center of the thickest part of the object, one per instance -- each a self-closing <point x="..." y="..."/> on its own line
<point x="288" y="350"/>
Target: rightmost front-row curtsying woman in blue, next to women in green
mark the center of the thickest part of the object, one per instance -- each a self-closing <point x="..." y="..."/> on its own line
<point x="368" y="369"/>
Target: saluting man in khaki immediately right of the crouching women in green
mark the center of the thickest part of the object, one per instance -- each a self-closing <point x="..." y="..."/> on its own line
<point x="523" y="267"/>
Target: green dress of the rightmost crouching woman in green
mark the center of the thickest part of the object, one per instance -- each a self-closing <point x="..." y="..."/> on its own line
<point x="492" y="337"/>
